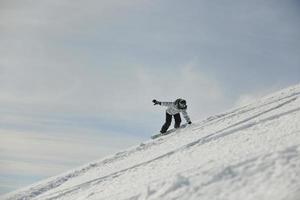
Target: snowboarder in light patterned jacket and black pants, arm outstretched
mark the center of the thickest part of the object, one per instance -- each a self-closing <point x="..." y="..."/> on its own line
<point x="174" y="109"/>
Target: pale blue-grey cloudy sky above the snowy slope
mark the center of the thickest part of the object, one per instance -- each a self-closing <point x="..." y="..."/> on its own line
<point x="77" y="77"/>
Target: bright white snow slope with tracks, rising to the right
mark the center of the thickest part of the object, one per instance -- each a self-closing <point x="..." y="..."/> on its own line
<point x="249" y="153"/>
